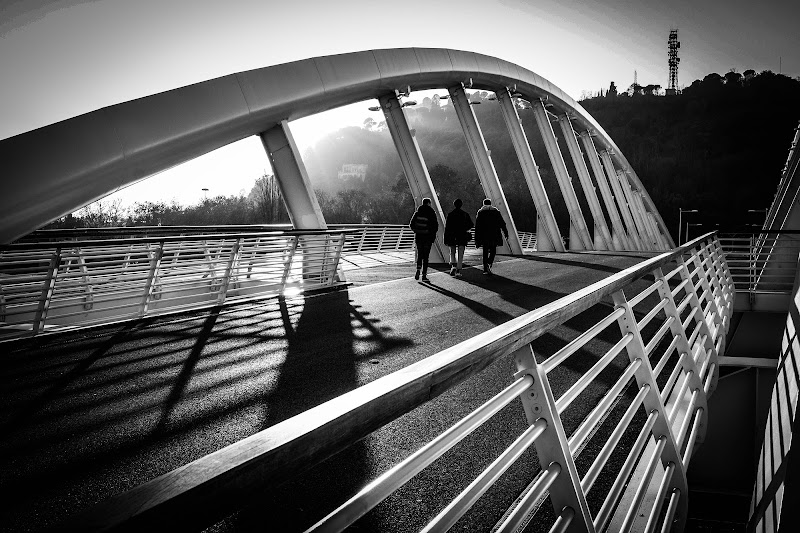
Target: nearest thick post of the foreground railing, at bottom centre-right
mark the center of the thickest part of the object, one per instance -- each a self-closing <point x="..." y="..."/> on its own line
<point x="552" y="446"/>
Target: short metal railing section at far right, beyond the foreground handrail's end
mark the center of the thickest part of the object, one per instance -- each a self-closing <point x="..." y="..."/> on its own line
<point x="765" y="261"/>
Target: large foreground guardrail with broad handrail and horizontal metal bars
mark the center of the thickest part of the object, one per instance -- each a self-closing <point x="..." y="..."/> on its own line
<point x="673" y="328"/>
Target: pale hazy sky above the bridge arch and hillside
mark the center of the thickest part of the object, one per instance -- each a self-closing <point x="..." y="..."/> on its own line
<point x="64" y="58"/>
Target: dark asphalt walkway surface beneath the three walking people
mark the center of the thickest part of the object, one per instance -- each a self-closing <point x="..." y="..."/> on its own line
<point x="89" y="414"/>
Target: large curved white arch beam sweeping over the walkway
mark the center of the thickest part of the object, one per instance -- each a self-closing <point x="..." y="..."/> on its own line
<point x="54" y="170"/>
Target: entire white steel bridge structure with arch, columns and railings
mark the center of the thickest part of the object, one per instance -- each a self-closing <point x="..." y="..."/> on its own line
<point x="671" y="315"/>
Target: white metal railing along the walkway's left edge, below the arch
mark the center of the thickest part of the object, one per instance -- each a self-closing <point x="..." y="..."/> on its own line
<point x="81" y="283"/>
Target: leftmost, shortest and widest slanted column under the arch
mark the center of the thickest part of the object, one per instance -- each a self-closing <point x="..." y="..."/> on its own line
<point x="301" y="202"/>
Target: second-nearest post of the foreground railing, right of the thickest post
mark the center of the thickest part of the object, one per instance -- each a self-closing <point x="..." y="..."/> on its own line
<point x="652" y="403"/>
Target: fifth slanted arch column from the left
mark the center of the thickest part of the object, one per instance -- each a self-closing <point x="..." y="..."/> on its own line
<point x="564" y="180"/>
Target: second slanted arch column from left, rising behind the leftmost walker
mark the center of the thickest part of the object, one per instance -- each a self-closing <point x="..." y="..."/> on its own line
<point x="419" y="181"/>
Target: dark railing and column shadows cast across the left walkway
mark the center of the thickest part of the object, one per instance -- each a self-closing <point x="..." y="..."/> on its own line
<point x="71" y="422"/>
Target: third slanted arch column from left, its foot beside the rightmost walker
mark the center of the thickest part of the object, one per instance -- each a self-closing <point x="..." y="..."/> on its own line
<point x="483" y="164"/>
